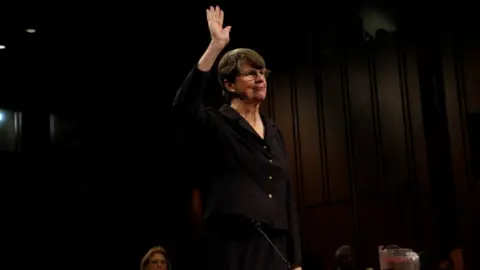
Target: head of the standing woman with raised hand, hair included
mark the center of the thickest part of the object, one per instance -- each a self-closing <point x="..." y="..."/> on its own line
<point x="242" y="74"/>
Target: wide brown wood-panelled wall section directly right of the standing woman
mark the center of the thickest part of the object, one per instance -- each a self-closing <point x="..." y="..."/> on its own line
<point x="354" y="127"/>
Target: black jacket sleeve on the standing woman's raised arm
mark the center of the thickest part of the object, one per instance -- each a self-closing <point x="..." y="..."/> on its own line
<point x="188" y="100"/>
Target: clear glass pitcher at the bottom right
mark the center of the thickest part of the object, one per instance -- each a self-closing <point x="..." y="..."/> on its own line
<point x="397" y="258"/>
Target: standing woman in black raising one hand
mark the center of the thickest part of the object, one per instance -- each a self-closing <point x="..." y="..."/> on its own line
<point x="249" y="185"/>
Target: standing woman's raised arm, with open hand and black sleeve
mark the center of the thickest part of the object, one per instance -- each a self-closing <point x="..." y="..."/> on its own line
<point x="189" y="98"/>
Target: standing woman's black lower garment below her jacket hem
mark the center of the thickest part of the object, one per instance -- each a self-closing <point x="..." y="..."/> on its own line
<point x="234" y="243"/>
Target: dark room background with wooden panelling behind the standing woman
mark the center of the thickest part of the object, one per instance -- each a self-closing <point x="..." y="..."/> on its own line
<point x="383" y="134"/>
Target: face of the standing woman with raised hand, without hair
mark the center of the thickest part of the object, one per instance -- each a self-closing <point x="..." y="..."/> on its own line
<point x="251" y="84"/>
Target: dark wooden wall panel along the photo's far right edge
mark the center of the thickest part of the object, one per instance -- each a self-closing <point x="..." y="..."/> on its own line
<point x="460" y="71"/>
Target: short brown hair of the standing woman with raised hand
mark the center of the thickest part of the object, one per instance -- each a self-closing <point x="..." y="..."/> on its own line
<point x="230" y="66"/>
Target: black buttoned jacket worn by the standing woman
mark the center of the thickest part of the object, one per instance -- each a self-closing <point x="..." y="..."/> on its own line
<point x="248" y="175"/>
